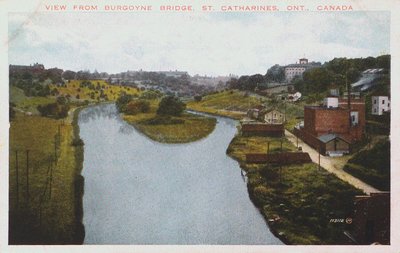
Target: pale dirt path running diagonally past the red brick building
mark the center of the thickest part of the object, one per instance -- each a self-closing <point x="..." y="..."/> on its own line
<point x="332" y="164"/>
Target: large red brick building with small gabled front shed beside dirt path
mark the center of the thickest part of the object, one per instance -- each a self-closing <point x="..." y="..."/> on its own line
<point x="333" y="118"/>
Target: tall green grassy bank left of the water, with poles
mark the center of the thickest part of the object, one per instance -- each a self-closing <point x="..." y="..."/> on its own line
<point x="51" y="211"/>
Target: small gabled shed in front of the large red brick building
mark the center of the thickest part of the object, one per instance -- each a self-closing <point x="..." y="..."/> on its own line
<point x="333" y="145"/>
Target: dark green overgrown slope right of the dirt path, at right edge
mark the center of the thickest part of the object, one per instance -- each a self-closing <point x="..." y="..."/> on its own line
<point x="372" y="165"/>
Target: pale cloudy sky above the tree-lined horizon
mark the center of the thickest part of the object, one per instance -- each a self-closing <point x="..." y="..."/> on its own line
<point x="200" y="43"/>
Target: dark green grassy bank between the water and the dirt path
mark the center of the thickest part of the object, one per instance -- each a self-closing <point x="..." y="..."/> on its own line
<point x="299" y="202"/>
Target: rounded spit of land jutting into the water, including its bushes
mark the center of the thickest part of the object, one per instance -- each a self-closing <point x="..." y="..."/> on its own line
<point x="164" y="120"/>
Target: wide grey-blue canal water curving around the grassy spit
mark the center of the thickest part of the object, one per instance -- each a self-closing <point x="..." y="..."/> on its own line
<point x="138" y="191"/>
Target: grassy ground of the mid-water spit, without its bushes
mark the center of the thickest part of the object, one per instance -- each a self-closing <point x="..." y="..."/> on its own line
<point x="171" y="129"/>
